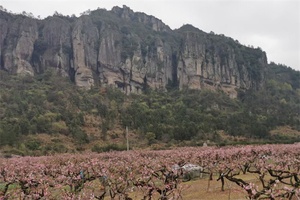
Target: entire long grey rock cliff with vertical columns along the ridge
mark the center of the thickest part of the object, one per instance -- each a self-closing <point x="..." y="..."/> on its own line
<point x="128" y="50"/>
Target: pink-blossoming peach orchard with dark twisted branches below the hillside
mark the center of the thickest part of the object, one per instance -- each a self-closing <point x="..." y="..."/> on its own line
<point x="115" y="175"/>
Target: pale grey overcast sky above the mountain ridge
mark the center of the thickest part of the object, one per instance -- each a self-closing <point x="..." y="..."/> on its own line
<point x="273" y="25"/>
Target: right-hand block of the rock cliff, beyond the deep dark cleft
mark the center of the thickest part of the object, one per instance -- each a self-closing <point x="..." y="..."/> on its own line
<point x="214" y="61"/>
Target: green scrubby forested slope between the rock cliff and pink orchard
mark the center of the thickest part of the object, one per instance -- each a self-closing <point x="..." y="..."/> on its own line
<point x="75" y="119"/>
